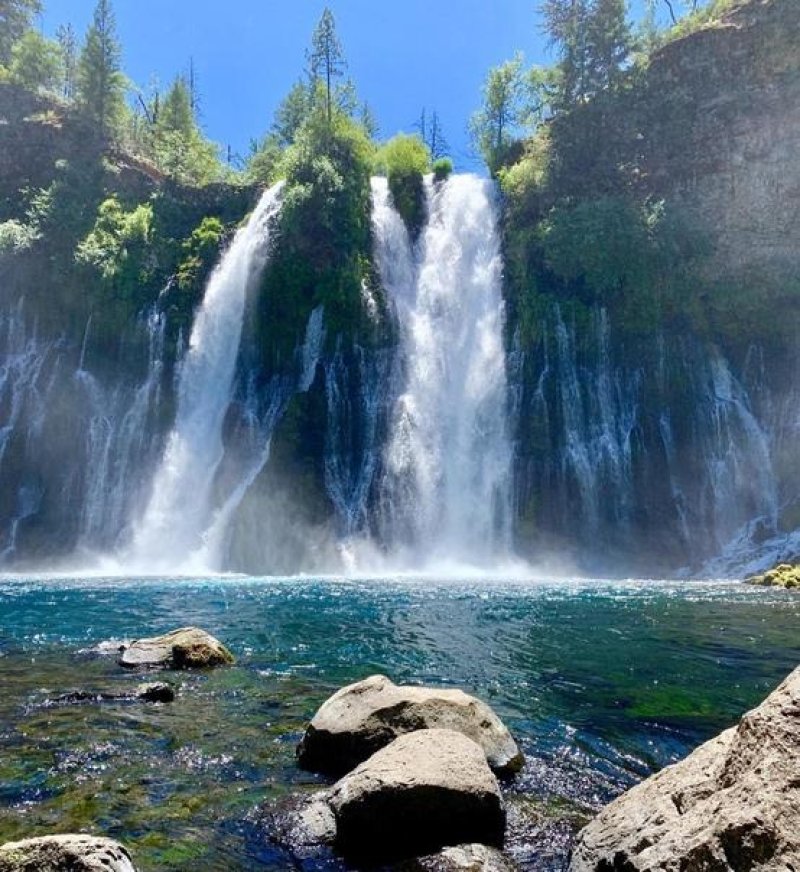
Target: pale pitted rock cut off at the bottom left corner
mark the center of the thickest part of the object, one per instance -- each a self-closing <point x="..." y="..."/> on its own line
<point x="65" y="853"/>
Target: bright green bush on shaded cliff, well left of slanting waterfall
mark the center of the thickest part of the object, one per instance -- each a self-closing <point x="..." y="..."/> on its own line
<point x="116" y="246"/>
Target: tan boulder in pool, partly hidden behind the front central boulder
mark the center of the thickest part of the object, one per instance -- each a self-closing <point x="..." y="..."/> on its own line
<point x="366" y="716"/>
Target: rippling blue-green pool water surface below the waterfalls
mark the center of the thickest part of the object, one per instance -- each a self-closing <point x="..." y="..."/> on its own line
<point x="601" y="682"/>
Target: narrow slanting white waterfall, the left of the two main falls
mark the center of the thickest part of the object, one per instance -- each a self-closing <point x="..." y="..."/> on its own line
<point x="180" y="508"/>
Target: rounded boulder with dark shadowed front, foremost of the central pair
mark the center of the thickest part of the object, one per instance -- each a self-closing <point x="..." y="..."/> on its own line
<point x="426" y="790"/>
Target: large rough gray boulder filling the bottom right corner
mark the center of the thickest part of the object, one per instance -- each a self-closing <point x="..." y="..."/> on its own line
<point x="734" y="804"/>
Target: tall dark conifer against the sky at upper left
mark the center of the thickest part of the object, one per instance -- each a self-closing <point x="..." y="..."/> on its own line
<point x="101" y="84"/>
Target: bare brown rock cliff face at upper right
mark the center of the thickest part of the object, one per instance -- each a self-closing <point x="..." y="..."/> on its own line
<point x="724" y="135"/>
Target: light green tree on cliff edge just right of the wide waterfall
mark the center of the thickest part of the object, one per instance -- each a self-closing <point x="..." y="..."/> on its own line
<point x="493" y="127"/>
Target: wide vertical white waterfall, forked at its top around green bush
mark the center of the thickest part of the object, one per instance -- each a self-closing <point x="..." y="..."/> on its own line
<point x="446" y="493"/>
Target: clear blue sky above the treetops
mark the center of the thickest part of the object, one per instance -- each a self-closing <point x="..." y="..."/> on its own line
<point x="402" y="55"/>
